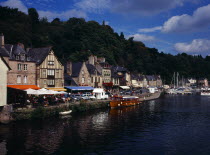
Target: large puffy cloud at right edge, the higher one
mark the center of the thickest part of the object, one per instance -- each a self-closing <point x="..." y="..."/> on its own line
<point x="186" y="23"/>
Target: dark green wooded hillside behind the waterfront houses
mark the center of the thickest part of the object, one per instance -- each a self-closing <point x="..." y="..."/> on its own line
<point x="76" y="39"/>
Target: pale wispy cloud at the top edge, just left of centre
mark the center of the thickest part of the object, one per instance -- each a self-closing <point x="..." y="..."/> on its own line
<point x="95" y="6"/>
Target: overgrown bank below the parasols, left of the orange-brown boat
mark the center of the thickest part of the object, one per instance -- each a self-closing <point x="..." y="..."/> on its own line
<point x="51" y="111"/>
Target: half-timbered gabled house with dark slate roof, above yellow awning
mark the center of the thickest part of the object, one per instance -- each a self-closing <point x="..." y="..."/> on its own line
<point x="49" y="70"/>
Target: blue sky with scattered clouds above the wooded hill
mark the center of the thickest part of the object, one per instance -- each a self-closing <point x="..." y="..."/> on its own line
<point x="171" y="26"/>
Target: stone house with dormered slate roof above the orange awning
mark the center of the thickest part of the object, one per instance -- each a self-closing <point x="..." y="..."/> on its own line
<point x="23" y="69"/>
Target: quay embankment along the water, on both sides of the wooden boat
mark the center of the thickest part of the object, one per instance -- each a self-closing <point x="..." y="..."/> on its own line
<point x="76" y="107"/>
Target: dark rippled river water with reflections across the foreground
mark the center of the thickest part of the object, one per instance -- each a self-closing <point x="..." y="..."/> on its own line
<point x="166" y="126"/>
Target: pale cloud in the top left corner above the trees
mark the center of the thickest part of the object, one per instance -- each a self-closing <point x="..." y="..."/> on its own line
<point x="15" y="4"/>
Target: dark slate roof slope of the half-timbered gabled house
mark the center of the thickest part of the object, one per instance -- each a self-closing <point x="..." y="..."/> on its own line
<point x="39" y="54"/>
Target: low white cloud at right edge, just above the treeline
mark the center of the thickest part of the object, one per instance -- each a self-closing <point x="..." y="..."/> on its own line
<point x="196" y="46"/>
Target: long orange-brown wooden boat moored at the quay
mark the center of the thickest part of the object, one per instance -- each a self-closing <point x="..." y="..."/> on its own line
<point x="124" y="101"/>
